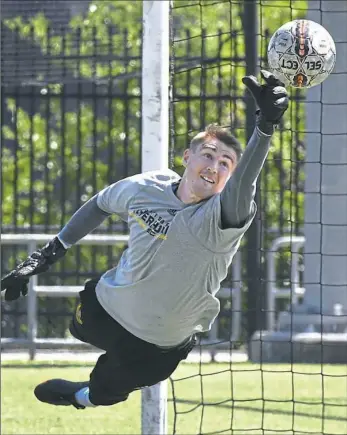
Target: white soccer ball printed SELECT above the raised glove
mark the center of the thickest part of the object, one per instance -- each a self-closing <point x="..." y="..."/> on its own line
<point x="301" y="54"/>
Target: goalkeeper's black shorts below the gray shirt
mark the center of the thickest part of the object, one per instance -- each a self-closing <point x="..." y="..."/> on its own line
<point x="128" y="363"/>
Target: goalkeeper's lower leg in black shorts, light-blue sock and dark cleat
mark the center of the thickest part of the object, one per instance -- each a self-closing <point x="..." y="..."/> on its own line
<point x="117" y="373"/>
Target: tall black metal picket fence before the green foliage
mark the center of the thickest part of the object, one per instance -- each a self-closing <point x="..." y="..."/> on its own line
<point x="71" y="124"/>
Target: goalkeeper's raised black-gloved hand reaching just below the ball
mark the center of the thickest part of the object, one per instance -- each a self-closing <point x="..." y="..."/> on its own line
<point x="271" y="98"/>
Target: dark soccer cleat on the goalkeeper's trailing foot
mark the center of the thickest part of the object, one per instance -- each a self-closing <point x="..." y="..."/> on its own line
<point x="59" y="392"/>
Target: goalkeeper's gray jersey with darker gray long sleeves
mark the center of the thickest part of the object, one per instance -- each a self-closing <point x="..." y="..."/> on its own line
<point x="164" y="287"/>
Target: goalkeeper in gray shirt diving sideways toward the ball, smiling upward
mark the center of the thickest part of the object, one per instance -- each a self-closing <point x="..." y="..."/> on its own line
<point x="145" y="313"/>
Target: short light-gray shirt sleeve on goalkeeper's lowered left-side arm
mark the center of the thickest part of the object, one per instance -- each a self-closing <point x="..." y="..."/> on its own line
<point x="117" y="197"/>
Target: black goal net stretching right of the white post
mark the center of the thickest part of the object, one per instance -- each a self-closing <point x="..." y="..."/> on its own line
<point x="275" y="381"/>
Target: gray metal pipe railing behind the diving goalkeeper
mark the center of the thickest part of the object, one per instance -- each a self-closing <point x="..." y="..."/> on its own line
<point x="273" y="292"/>
